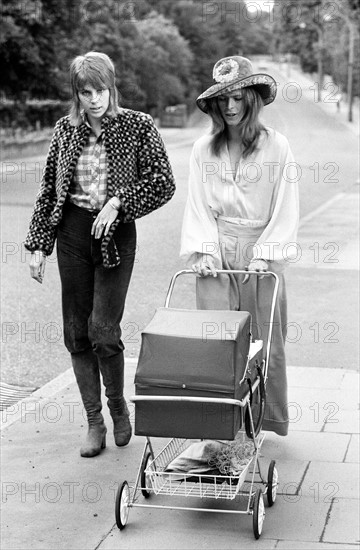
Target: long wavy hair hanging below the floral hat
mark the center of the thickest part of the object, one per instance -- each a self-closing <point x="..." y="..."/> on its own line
<point x="250" y="127"/>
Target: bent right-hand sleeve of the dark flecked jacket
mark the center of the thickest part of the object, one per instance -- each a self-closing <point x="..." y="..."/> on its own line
<point x="155" y="184"/>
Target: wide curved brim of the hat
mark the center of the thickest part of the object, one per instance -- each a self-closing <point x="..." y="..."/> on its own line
<point x="263" y="83"/>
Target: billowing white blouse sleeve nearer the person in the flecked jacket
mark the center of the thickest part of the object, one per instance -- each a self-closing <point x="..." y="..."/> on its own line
<point x="199" y="230"/>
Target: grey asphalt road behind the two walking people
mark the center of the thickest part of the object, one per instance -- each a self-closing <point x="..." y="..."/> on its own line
<point x="323" y="313"/>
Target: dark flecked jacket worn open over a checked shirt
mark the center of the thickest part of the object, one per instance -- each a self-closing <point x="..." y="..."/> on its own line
<point x="139" y="174"/>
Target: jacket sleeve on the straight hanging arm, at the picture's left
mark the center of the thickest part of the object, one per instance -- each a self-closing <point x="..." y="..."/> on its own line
<point x="41" y="234"/>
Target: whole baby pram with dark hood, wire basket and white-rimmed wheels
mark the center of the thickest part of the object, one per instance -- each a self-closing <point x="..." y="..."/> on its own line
<point x="201" y="378"/>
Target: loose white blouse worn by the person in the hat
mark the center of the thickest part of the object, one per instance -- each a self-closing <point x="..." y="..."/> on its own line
<point x="264" y="192"/>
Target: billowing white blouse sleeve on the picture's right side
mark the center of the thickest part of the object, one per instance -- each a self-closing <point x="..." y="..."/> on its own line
<point x="278" y="241"/>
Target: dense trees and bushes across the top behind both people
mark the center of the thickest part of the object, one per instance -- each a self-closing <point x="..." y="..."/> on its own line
<point x="163" y="50"/>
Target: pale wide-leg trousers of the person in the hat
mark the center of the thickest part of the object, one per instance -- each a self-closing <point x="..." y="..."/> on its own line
<point x="237" y="241"/>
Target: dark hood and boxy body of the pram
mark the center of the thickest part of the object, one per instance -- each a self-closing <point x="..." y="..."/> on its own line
<point x="198" y="353"/>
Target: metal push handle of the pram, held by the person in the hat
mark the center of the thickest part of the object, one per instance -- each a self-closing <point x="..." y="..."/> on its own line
<point x="237" y="272"/>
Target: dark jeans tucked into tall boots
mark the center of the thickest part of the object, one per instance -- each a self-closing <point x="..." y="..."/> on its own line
<point x="93" y="297"/>
